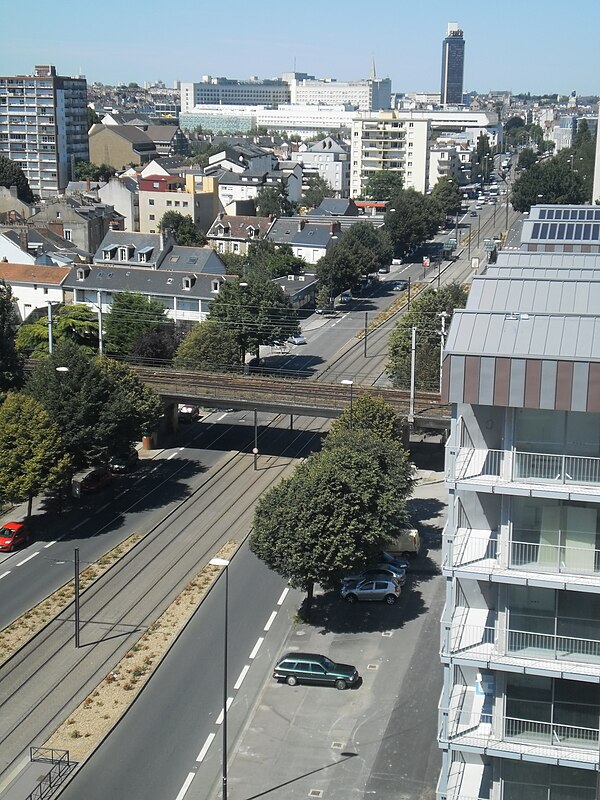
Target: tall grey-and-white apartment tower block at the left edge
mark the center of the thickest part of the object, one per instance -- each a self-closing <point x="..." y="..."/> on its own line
<point x="43" y="126"/>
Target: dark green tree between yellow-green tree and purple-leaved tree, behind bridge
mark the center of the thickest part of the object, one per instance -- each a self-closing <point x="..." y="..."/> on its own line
<point x="131" y="317"/>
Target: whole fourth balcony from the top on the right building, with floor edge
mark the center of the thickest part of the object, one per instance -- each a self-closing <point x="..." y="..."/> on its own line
<point x="512" y="737"/>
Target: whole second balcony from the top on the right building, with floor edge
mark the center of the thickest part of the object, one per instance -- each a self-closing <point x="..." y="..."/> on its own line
<point x="484" y="555"/>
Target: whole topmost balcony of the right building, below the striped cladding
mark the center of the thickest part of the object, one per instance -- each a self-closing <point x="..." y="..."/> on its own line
<point x="502" y="470"/>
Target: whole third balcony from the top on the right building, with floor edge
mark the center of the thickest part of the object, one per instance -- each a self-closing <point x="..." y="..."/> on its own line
<point x="488" y="646"/>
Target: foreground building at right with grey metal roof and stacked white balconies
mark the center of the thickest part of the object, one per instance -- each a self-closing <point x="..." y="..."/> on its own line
<point x="519" y="714"/>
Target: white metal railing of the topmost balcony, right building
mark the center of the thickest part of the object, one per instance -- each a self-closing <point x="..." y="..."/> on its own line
<point x="507" y="466"/>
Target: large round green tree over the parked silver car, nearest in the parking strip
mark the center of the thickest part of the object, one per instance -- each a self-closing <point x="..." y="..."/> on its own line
<point x="334" y="513"/>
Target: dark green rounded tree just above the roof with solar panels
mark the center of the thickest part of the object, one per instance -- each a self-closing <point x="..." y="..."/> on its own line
<point x="549" y="181"/>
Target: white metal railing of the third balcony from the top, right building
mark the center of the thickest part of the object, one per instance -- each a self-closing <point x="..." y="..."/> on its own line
<point x="485" y="641"/>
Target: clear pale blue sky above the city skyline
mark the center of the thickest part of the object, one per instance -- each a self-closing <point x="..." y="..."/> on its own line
<point x="539" y="46"/>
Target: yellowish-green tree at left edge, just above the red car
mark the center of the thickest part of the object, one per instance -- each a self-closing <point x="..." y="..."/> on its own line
<point x="32" y="456"/>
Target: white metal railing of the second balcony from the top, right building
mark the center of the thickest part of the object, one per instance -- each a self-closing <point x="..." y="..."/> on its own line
<point x="471" y="548"/>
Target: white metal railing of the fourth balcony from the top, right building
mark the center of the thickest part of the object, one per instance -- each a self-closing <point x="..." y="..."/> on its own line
<point x="484" y="731"/>
